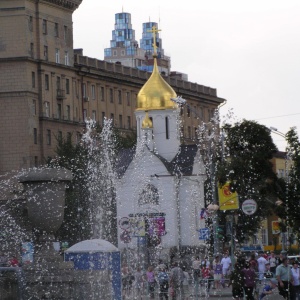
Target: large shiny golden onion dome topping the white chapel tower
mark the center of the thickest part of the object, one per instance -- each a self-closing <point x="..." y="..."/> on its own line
<point x="156" y="93"/>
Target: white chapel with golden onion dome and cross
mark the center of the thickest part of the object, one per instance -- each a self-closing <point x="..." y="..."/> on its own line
<point x="160" y="192"/>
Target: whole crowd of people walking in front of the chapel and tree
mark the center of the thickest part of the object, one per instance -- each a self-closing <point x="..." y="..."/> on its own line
<point x="253" y="277"/>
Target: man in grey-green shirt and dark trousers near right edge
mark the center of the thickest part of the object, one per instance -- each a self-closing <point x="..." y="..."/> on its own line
<point x="284" y="278"/>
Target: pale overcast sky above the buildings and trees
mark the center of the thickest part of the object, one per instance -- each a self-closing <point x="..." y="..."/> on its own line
<point x="249" y="50"/>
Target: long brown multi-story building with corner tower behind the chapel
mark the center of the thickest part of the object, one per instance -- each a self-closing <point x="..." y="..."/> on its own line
<point x="47" y="89"/>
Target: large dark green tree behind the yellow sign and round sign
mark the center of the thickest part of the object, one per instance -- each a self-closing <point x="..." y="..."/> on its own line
<point x="248" y="148"/>
